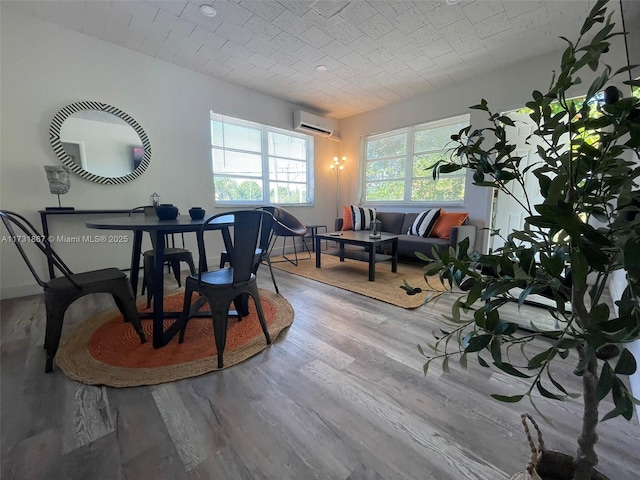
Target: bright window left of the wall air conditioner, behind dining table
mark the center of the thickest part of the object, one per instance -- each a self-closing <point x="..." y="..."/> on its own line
<point x="257" y="164"/>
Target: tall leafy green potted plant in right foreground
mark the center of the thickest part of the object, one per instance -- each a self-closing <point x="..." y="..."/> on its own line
<point x="587" y="227"/>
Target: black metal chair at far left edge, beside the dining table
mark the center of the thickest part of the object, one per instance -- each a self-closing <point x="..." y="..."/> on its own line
<point x="61" y="292"/>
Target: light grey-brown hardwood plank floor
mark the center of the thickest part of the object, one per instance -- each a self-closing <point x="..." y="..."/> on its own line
<point x="340" y="395"/>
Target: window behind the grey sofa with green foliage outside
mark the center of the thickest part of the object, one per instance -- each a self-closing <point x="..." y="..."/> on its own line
<point x="396" y="165"/>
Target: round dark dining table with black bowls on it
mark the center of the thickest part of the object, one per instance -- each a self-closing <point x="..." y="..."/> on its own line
<point x="138" y="224"/>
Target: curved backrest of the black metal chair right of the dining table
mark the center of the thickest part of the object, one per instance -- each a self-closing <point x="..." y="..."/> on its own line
<point x="248" y="229"/>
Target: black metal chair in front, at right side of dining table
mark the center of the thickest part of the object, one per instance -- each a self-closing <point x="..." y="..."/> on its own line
<point x="222" y="287"/>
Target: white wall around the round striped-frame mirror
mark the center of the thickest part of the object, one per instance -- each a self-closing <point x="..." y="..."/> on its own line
<point x="45" y="67"/>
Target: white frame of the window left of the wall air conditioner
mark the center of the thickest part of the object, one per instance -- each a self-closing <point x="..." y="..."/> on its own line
<point x="264" y="153"/>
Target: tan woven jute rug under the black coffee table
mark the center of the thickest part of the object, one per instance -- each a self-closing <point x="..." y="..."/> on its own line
<point x="353" y="275"/>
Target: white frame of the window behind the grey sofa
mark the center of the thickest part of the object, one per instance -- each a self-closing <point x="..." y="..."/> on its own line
<point x="409" y="158"/>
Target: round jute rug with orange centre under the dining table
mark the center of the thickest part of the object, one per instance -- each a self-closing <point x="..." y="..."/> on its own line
<point x="105" y="350"/>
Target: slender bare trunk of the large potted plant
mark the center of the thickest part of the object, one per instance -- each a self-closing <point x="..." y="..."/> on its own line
<point x="586" y="458"/>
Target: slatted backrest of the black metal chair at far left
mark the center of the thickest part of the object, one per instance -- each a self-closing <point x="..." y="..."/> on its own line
<point x="27" y="233"/>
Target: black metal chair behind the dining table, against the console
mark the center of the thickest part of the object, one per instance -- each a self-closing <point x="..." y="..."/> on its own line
<point x="172" y="254"/>
